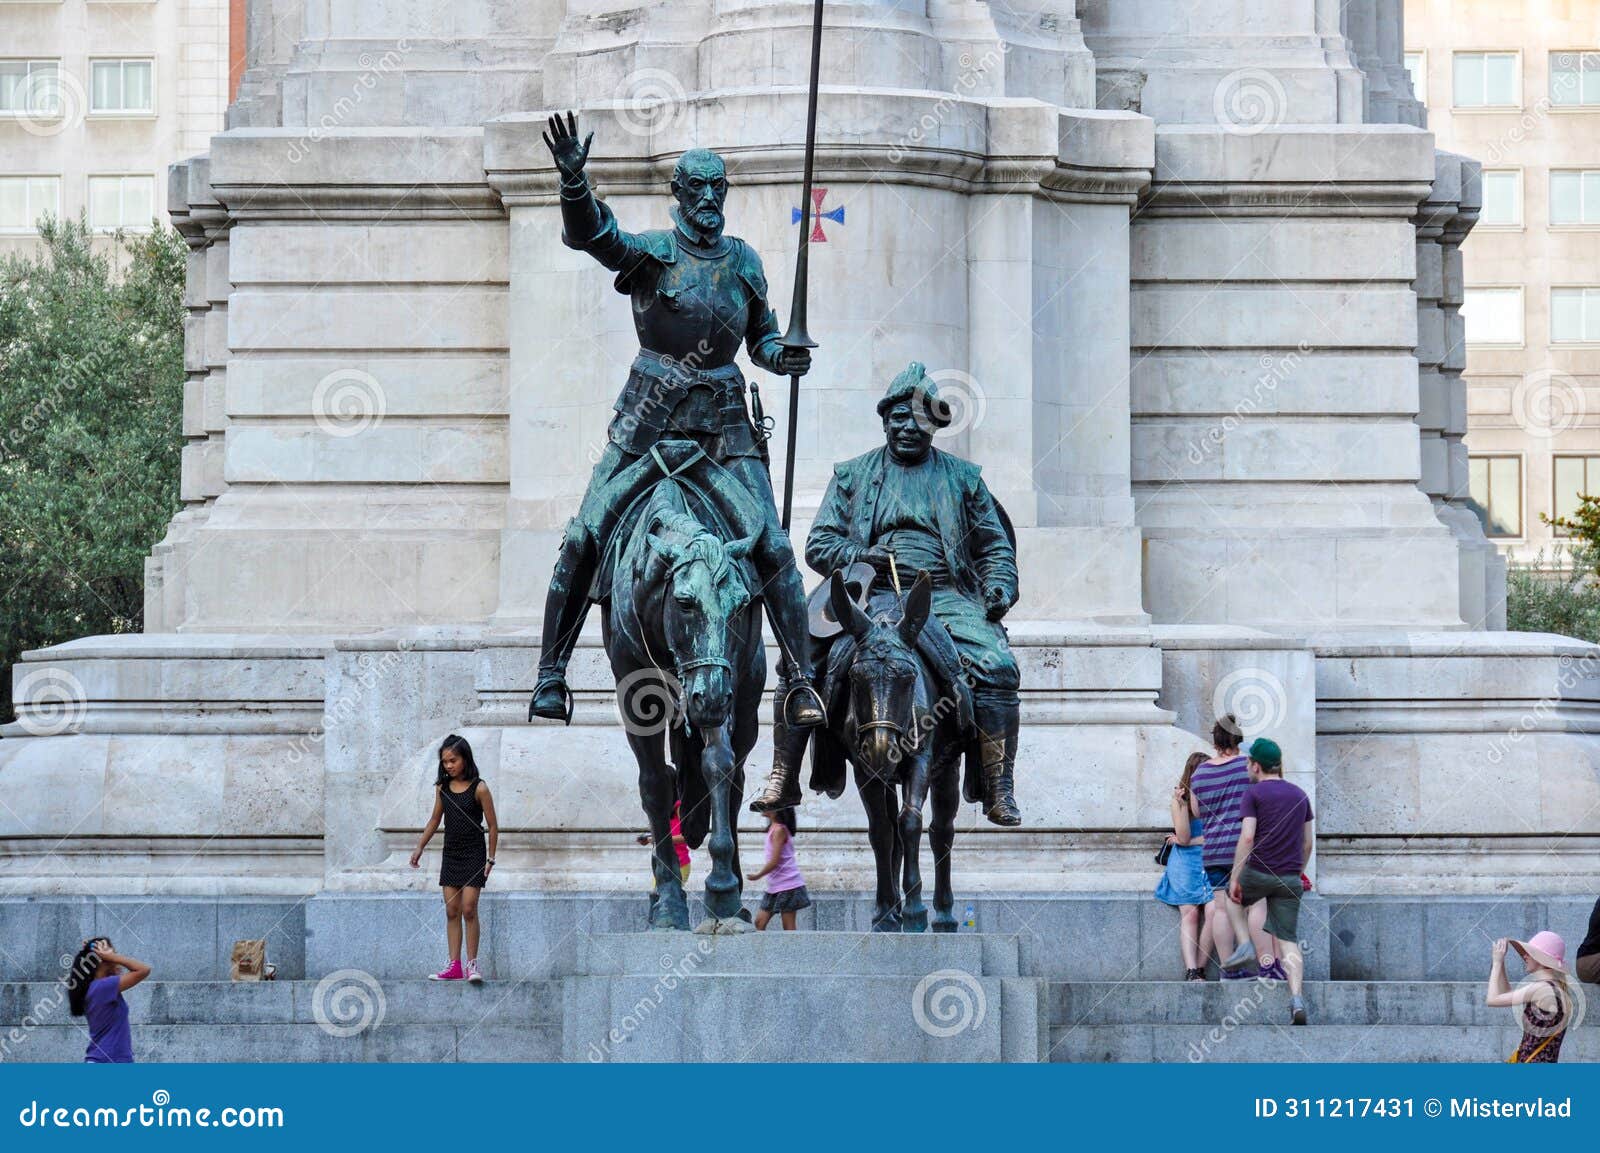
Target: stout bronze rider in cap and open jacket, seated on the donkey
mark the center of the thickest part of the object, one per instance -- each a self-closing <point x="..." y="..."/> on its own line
<point x="930" y="513"/>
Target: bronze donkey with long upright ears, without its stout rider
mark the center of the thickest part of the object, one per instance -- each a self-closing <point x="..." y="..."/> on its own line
<point x="905" y="743"/>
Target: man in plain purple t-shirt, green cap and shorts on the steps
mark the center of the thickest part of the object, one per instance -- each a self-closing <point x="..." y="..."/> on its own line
<point x="1274" y="845"/>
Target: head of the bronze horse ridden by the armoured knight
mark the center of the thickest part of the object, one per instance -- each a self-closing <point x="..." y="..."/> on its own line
<point x="705" y="592"/>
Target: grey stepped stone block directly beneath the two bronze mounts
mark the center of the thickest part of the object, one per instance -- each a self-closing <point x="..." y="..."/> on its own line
<point x="678" y="997"/>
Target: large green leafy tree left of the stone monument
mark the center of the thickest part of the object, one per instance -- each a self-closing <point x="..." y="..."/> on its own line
<point x="92" y="378"/>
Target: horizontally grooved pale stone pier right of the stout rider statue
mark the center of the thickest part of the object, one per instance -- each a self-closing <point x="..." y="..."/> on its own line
<point x="1274" y="388"/>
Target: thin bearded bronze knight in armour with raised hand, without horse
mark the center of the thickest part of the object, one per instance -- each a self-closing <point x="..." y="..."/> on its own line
<point x="698" y="295"/>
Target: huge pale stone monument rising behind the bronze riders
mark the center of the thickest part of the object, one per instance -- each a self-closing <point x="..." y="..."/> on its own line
<point x="1190" y="271"/>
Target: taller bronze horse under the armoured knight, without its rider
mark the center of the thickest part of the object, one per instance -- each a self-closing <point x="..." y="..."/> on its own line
<point x="684" y="634"/>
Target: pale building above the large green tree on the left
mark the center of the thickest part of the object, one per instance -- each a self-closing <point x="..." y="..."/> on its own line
<point x="98" y="98"/>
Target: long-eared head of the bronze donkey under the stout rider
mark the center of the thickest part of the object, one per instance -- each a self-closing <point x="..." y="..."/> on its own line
<point x="884" y="674"/>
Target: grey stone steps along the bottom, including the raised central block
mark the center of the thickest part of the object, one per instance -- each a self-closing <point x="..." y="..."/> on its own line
<point x="650" y="999"/>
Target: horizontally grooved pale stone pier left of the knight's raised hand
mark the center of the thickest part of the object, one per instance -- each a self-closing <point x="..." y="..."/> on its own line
<point x="366" y="450"/>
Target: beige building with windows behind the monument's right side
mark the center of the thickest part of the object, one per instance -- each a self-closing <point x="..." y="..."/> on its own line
<point x="1518" y="87"/>
